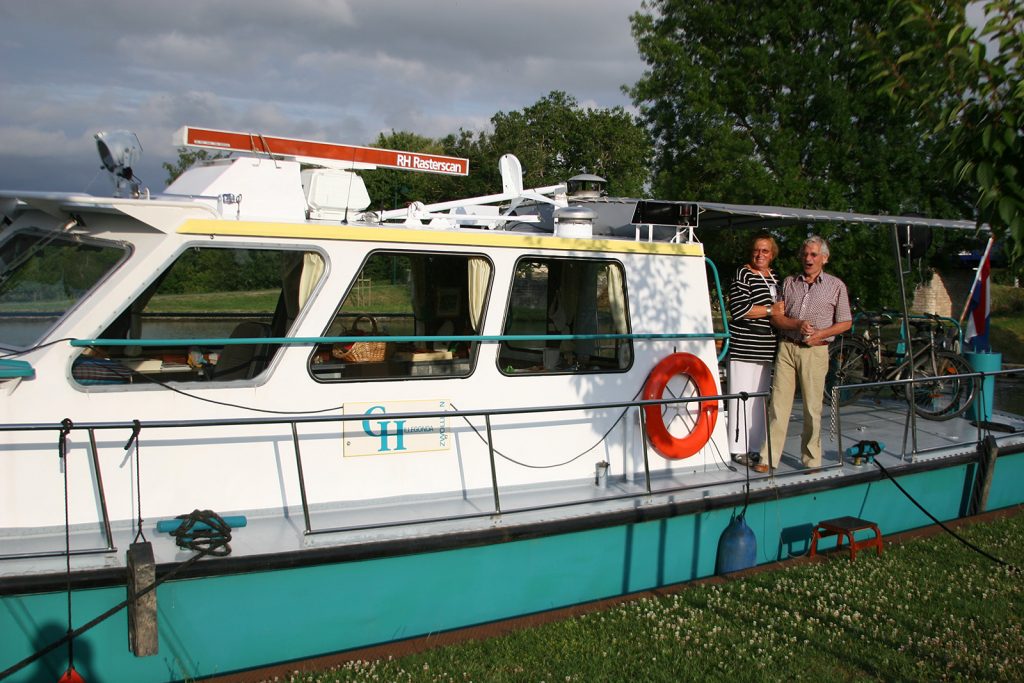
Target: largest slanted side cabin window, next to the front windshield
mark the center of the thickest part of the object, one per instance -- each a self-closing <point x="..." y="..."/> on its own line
<point x="209" y="294"/>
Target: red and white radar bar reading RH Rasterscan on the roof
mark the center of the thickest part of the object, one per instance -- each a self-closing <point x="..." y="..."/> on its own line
<point x="322" y="154"/>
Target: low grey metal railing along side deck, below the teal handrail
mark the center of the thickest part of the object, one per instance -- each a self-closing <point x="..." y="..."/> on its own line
<point x="647" y="489"/>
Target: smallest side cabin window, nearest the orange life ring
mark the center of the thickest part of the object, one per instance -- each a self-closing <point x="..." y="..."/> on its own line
<point x="567" y="297"/>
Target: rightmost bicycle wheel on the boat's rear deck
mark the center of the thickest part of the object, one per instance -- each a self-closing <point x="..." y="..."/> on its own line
<point x="936" y="395"/>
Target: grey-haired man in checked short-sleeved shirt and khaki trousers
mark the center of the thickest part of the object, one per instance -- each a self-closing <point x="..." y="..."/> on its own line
<point x="817" y="309"/>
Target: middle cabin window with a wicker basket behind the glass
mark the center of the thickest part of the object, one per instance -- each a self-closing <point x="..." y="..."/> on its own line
<point x="403" y="294"/>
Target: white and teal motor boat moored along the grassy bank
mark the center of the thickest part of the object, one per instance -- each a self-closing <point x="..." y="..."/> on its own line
<point x="421" y="420"/>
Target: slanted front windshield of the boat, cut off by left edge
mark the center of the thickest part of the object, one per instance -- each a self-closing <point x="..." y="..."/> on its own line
<point x="42" y="277"/>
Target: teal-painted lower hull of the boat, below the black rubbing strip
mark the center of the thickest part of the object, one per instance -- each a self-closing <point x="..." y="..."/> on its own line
<point x="303" y="613"/>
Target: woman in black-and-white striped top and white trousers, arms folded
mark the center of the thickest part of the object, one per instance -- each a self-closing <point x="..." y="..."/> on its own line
<point x="752" y="350"/>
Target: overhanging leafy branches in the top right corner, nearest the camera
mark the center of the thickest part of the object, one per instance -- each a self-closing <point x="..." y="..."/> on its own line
<point x="967" y="83"/>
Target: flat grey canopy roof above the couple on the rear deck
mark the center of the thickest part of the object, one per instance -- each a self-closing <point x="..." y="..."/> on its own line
<point x="713" y="216"/>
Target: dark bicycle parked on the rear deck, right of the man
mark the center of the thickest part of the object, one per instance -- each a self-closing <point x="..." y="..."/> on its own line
<point x="936" y="394"/>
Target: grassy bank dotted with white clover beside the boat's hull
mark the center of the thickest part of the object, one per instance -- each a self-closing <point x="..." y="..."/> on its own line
<point x="928" y="610"/>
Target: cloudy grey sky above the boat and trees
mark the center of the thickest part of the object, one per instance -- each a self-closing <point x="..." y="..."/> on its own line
<point x="336" y="71"/>
